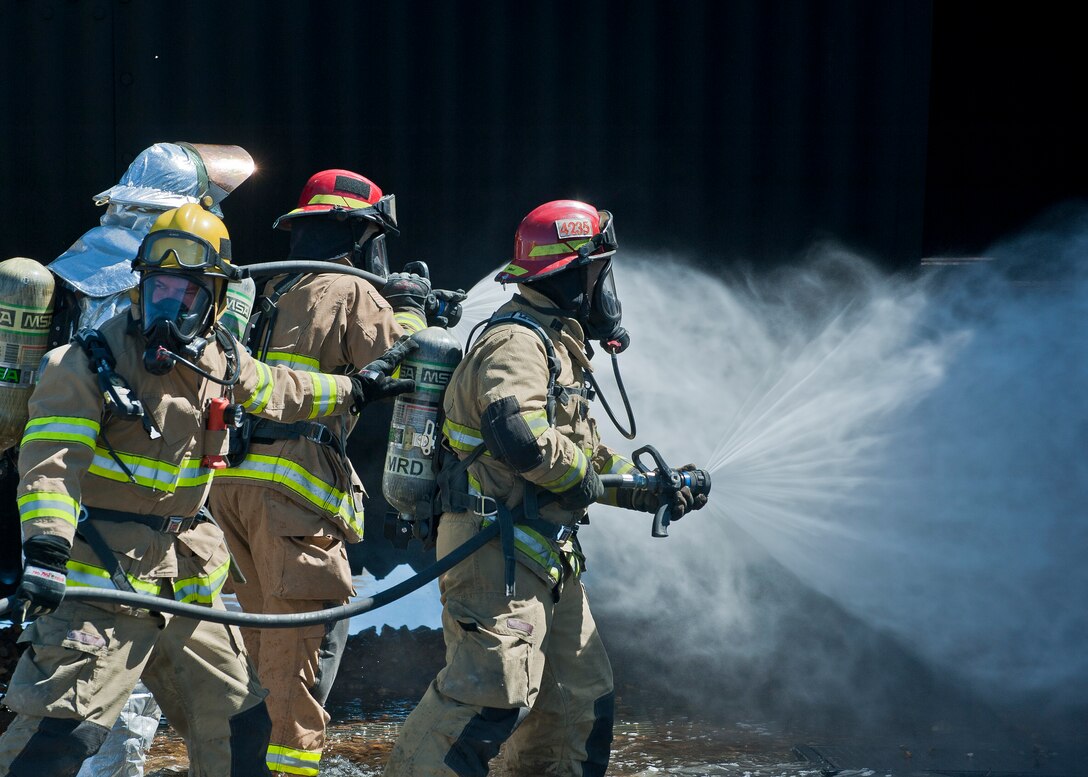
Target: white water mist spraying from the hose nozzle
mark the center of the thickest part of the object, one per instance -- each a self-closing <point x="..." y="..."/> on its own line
<point x="912" y="448"/>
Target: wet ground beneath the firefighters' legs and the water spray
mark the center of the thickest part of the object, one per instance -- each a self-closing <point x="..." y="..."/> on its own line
<point x="652" y="744"/>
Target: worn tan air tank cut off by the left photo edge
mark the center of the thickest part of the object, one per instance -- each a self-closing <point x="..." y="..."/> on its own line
<point x="27" y="314"/>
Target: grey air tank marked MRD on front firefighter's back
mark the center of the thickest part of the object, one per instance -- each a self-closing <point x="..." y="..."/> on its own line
<point x="415" y="434"/>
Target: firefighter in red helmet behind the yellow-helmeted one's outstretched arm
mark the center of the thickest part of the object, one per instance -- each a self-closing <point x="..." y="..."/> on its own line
<point x="292" y="505"/>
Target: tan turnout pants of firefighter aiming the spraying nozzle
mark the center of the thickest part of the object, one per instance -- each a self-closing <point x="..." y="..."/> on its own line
<point x="530" y="672"/>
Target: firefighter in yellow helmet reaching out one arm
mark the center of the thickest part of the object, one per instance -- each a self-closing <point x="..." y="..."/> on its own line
<point x="116" y="463"/>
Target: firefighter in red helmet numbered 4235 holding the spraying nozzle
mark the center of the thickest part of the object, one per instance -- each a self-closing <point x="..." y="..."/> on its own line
<point x="529" y="669"/>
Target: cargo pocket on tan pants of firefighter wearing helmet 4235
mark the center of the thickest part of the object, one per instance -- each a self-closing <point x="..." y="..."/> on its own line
<point x="490" y="663"/>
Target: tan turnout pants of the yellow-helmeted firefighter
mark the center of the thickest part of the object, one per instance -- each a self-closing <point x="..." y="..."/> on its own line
<point x="83" y="662"/>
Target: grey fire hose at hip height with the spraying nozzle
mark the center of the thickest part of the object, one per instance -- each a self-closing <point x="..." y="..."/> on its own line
<point x="663" y="482"/>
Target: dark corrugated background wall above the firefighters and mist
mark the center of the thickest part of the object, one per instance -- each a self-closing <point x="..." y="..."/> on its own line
<point x="724" y="131"/>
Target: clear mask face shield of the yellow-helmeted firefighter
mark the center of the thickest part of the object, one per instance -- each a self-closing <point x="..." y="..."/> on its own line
<point x="176" y="307"/>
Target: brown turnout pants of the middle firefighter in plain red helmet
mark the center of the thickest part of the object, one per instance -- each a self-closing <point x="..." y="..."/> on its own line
<point x="293" y="564"/>
